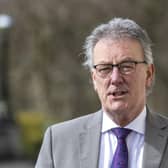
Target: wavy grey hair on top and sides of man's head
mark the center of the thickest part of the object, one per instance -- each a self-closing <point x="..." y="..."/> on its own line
<point x="117" y="28"/>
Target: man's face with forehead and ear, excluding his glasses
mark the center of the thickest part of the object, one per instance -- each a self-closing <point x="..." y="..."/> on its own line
<point x="121" y="94"/>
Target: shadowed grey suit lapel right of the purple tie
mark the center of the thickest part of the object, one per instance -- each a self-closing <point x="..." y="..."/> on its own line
<point x="155" y="141"/>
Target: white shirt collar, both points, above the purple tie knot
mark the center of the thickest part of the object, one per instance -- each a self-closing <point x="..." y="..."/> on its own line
<point x="137" y="125"/>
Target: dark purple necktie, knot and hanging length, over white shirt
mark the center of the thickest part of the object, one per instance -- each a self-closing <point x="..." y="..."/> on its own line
<point x="120" y="159"/>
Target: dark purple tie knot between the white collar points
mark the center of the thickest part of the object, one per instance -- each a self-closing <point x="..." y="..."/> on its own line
<point x="121" y="133"/>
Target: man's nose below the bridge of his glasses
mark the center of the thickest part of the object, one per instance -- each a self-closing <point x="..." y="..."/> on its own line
<point x="116" y="76"/>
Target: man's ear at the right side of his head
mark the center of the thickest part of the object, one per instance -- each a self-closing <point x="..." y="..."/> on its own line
<point x="150" y="75"/>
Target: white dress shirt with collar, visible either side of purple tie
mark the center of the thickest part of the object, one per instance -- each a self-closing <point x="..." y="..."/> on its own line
<point x="135" y="141"/>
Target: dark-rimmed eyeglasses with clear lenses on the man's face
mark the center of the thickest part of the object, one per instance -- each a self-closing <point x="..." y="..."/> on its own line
<point x="125" y="68"/>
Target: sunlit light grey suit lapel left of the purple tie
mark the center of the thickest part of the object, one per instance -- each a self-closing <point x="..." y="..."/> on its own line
<point x="90" y="143"/>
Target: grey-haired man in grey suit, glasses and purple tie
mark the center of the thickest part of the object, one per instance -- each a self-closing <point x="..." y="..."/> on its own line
<point x="119" y="57"/>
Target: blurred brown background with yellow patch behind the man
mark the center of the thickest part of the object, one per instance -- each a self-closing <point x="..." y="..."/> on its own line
<point x="42" y="80"/>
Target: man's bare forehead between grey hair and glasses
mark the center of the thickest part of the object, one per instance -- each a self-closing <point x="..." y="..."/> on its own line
<point x="108" y="50"/>
